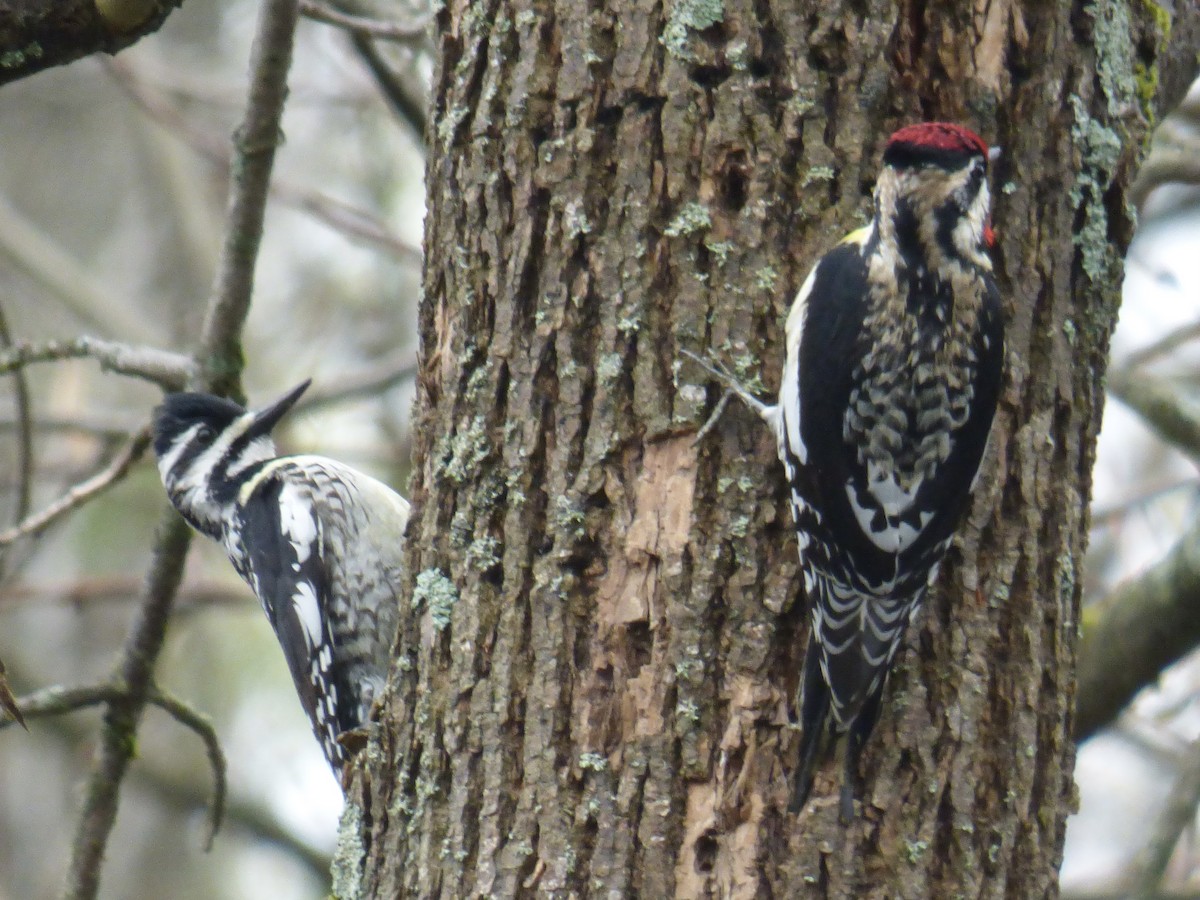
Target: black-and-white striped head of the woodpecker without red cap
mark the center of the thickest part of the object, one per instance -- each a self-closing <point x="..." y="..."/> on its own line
<point x="206" y="445"/>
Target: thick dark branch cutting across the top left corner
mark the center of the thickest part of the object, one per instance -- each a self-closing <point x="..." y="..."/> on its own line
<point x="44" y="35"/>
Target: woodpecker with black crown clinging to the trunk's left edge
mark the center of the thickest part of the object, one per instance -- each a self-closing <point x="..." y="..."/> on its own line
<point x="317" y="542"/>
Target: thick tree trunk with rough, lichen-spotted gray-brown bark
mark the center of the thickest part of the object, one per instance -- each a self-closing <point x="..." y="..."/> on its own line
<point x="596" y="677"/>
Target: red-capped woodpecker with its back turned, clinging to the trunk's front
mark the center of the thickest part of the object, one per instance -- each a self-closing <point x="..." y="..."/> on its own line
<point x="896" y="346"/>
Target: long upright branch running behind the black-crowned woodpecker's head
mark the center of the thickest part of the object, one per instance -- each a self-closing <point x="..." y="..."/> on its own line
<point x="220" y="359"/>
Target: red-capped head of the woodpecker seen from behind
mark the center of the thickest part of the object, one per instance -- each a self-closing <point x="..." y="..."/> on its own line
<point x="935" y="179"/>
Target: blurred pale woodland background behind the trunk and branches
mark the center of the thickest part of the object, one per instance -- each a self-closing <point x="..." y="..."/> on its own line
<point x="112" y="199"/>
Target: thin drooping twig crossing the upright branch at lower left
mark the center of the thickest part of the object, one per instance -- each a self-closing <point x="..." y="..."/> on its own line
<point x="59" y="701"/>
